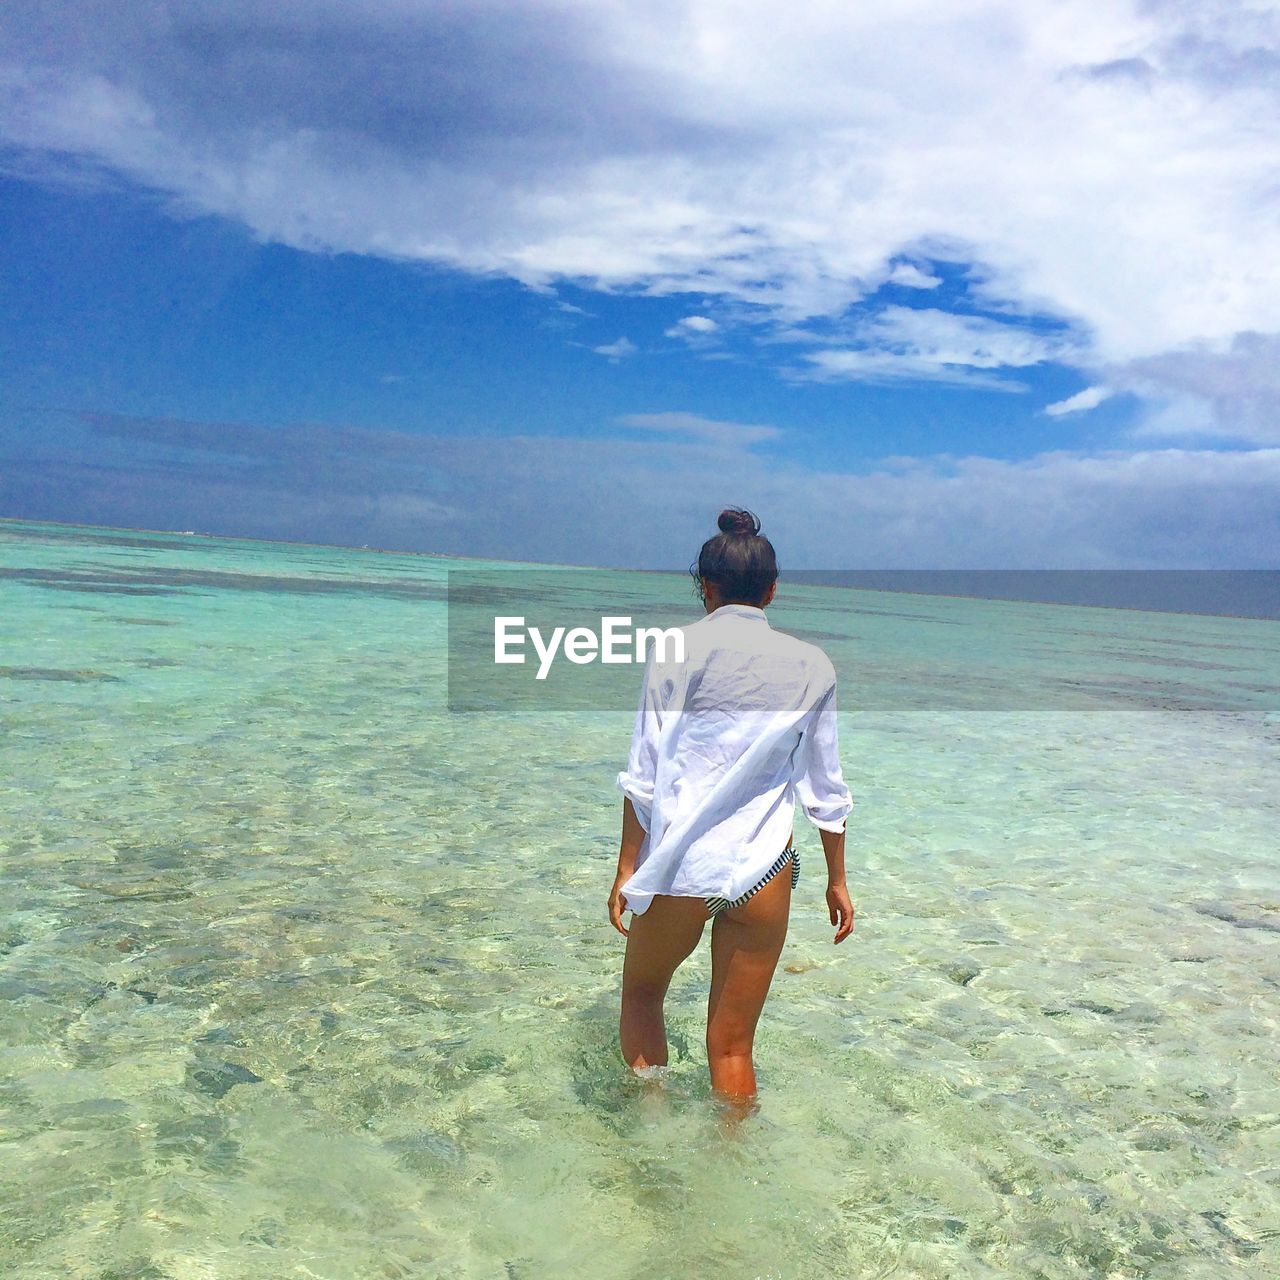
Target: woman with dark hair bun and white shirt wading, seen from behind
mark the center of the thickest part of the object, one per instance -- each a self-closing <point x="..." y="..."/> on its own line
<point x="725" y="744"/>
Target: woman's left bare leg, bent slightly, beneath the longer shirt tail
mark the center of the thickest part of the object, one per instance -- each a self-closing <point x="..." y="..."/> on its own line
<point x="659" y="943"/>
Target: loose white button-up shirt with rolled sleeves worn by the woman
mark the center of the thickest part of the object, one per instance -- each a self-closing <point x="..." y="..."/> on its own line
<point x="725" y="744"/>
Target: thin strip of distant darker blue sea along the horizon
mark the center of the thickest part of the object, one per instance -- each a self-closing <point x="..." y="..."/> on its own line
<point x="1238" y="593"/>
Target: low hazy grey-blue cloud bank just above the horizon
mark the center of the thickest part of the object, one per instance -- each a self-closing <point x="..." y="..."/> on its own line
<point x="648" y="497"/>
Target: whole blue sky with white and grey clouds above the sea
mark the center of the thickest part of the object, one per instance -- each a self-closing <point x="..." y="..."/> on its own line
<point x="956" y="285"/>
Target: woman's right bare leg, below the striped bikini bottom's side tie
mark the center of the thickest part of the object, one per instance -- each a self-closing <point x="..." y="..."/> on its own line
<point x="747" y="943"/>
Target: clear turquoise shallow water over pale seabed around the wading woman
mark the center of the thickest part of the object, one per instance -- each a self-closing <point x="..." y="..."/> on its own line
<point x="305" y="976"/>
